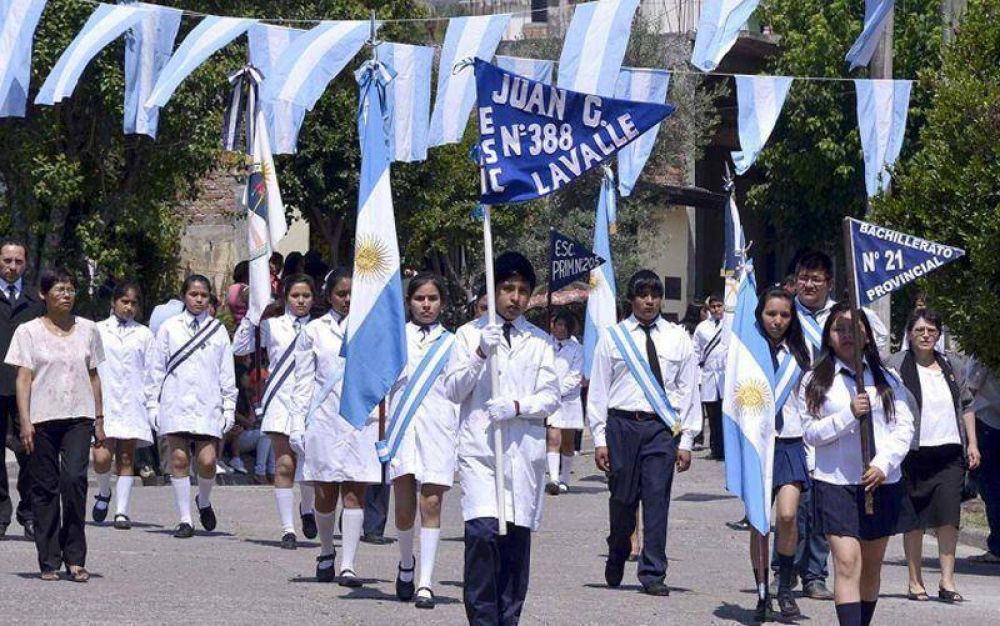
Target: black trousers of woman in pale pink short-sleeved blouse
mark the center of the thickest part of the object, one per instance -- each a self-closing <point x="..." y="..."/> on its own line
<point x="58" y="469"/>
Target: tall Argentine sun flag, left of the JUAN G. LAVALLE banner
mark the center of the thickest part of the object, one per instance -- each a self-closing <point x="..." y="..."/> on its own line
<point x="375" y="349"/>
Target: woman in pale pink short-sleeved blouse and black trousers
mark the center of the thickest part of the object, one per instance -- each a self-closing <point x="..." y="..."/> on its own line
<point x="59" y="401"/>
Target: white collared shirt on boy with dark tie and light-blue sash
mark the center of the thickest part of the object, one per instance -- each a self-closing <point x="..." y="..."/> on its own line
<point x="612" y="385"/>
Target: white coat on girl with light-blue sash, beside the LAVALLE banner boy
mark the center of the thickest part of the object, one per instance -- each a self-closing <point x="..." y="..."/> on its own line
<point x="429" y="446"/>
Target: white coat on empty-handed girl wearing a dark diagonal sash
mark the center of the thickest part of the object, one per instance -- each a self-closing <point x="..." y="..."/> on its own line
<point x="200" y="395"/>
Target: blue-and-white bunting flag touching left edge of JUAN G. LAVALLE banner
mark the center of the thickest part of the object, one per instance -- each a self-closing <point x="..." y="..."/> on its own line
<point x="467" y="37"/>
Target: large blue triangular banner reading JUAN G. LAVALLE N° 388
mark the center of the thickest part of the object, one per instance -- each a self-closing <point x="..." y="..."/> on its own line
<point x="535" y="139"/>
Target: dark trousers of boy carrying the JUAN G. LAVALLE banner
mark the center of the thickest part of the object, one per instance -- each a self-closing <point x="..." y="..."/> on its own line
<point x="496" y="572"/>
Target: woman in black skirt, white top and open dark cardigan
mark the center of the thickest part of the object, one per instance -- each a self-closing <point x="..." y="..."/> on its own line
<point x="944" y="444"/>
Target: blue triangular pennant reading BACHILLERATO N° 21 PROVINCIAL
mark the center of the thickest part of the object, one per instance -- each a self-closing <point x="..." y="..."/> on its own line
<point x="884" y="260"/>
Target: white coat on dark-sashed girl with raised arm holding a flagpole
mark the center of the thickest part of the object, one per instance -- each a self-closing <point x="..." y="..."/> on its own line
<point x="277" y="335"/>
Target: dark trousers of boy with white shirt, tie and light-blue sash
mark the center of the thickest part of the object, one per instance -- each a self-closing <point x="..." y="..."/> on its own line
<point x="642" y="454"/>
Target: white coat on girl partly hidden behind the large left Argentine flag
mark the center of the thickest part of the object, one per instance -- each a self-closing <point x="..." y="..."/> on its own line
<point x="335" y="451"/>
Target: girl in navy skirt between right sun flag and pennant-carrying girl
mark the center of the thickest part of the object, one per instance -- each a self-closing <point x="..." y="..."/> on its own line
<point x="790" y="475"/>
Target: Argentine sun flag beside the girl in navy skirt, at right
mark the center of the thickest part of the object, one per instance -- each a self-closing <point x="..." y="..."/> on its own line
<point x="748" y="409"/>
